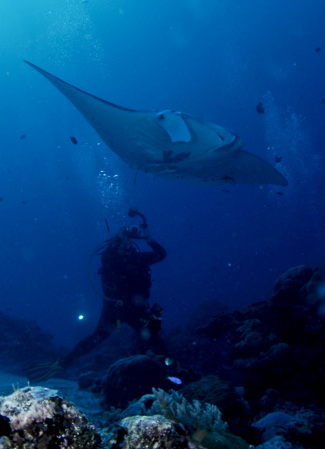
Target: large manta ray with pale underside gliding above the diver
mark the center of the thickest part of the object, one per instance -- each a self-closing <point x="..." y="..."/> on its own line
<point x="170" y="143"/>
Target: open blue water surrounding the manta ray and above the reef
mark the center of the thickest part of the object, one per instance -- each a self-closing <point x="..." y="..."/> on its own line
<point x="212" y="59"/>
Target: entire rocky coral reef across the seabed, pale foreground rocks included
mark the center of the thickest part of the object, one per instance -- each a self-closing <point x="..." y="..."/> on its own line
<point x="272" y="351"/>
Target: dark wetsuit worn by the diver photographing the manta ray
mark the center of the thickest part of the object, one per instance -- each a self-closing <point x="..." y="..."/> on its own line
<point x="126" y="282"/>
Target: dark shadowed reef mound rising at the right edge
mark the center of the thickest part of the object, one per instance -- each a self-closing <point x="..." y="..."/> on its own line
<point x="279" y="344"/>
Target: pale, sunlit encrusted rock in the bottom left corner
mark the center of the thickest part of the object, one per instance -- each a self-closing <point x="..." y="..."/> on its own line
<point x="36" y="417"/>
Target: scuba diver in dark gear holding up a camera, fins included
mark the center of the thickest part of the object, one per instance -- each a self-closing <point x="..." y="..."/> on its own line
<point x="126" y="281"/>
